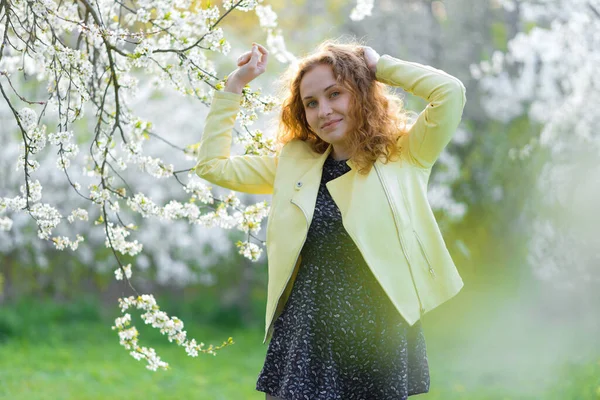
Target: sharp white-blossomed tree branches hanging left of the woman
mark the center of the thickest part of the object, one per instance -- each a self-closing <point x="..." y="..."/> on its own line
<point x="90" y="55"/>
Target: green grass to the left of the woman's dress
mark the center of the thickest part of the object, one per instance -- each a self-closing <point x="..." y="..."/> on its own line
<point x="76" y="365"/>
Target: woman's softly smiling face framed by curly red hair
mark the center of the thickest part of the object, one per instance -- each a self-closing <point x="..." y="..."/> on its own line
<point x="326" y="104"/>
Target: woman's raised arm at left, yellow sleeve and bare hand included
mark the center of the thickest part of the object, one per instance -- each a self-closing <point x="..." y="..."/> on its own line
<point x="244" y="173"/>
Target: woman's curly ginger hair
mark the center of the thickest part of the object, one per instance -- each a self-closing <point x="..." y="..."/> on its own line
<point x="379" y="116"/>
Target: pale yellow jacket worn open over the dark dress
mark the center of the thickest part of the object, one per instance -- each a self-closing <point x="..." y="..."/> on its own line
<point x="386" y="212"/>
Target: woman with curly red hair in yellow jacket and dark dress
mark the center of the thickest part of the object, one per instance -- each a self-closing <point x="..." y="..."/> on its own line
<point x="355" y="254"/>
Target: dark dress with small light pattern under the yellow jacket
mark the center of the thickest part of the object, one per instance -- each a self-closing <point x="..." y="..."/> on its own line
<point x="339" y="336"/>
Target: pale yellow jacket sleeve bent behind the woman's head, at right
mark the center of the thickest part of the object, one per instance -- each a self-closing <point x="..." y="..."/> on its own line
<point x="445" y="94"/>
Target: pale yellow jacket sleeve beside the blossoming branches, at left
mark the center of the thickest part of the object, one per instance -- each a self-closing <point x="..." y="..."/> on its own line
<point x="243" y="173"/>
